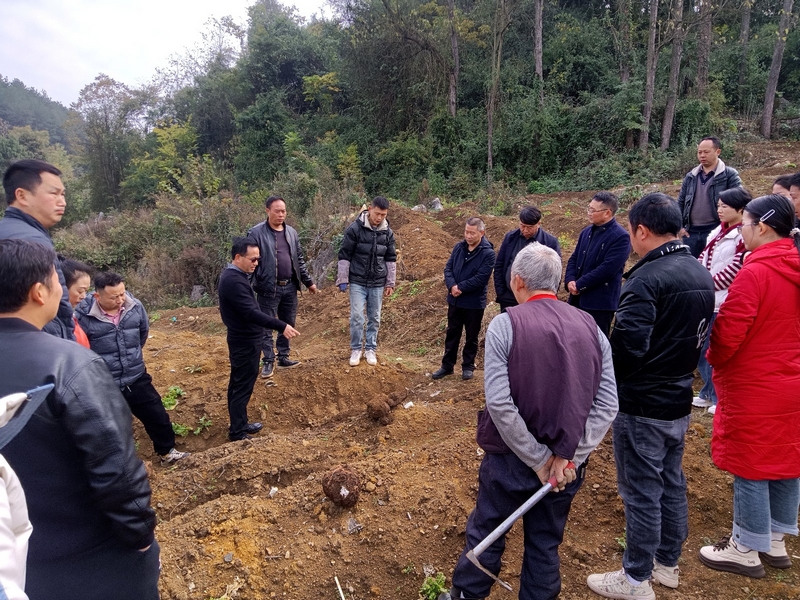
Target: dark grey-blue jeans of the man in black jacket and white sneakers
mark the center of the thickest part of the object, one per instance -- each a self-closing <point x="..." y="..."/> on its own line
<point x="650" y="479"/>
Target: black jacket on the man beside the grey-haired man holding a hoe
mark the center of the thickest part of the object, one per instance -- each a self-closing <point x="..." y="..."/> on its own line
<point x="662" y="321"/>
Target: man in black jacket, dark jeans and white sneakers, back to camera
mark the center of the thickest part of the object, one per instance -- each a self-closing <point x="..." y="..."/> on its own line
<point x="662" y="320"/>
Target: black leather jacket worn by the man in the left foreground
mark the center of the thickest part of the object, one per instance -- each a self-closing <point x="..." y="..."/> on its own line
<point x="84" y="483"/>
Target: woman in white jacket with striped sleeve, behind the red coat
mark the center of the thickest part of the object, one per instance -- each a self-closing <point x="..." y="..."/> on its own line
<point x="723" y="256"/>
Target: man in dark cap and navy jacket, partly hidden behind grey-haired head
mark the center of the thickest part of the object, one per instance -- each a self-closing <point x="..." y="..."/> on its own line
<point x="529" y="231"/>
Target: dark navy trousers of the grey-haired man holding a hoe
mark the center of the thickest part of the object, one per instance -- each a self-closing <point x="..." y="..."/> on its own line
<point x="504" y="484"/>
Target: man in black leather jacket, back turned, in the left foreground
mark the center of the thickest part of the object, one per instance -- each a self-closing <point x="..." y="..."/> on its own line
<point x="87" y="491"/>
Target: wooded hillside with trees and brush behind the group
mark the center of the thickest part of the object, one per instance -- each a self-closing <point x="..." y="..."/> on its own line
<point x="482" y="100"/>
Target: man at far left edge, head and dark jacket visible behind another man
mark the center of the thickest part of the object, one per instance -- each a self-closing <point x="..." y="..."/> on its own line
<point x="35" y="196"/>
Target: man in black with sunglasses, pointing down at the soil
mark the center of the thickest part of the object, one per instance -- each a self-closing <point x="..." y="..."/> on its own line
<point x="246" y="323"/>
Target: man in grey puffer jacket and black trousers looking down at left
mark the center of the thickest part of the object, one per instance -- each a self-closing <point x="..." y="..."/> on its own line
<point x="117" y="327"/>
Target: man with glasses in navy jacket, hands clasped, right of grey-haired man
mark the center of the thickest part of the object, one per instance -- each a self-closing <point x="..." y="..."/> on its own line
<point x="594" y="271"/>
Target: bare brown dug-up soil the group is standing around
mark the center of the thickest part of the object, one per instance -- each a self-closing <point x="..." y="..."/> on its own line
<point x="250" y="519"/>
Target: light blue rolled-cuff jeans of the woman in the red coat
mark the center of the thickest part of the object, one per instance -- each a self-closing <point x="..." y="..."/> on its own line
<point x="763" y="507"/>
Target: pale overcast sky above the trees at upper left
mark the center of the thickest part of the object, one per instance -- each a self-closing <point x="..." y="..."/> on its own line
<point x="59" y="46"/>
